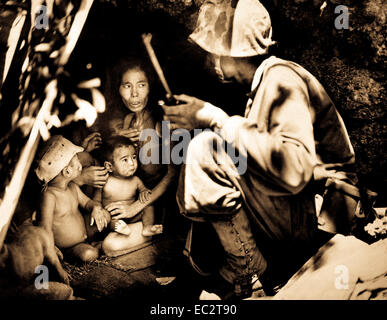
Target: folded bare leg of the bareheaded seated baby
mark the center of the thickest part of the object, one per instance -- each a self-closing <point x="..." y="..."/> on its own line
<point x="116" y="244"/>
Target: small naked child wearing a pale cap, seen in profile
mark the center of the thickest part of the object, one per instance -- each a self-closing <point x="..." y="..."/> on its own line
<point x="57" y="166"/>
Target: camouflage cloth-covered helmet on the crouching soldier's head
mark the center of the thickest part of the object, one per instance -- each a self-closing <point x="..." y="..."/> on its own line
<point x="233" y="28"/>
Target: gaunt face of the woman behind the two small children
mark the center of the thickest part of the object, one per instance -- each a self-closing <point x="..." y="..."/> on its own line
<point x="134" y="89"/>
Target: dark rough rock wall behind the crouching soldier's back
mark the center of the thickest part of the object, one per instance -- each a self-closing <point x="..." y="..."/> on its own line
<point x="351" y="65"/>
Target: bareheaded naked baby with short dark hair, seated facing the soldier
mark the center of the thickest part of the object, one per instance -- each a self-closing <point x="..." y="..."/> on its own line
<point x="123" y="185"/>
